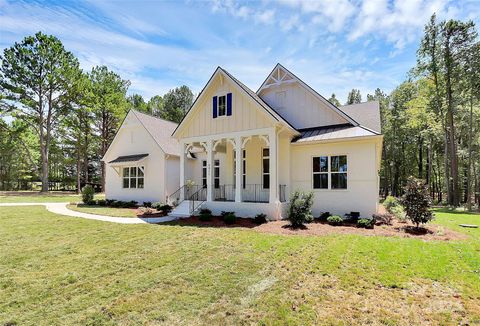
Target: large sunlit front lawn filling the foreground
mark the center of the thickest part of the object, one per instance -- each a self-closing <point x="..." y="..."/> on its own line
<point x="63" y="271"/>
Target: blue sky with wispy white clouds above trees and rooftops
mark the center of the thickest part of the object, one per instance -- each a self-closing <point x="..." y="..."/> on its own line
<point x="332" y="45"/>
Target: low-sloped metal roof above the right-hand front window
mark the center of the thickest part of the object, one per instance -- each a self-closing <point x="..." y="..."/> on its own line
<point x="333" y="132"/>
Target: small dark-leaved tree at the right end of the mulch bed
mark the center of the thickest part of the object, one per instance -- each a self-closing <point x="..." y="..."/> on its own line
<point x="416" y="202"/>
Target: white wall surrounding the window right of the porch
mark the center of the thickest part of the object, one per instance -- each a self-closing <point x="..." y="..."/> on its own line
<point x="361" y="194"/>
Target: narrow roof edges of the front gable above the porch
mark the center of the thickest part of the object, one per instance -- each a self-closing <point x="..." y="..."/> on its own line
<point x="245" y="89"/>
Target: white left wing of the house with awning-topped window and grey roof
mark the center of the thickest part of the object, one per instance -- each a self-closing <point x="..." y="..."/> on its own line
<point x="142" y="162"/>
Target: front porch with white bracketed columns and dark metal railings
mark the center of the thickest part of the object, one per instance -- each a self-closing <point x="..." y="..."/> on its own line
<point x="211" y="167"/>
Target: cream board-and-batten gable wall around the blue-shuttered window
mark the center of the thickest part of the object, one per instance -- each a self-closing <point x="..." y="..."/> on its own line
<point x="246" y="114"/>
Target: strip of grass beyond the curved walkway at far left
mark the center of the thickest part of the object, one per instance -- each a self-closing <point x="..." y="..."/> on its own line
<point x="37" y="197"/>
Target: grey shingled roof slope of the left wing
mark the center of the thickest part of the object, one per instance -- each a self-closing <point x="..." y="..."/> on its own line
<point x="161" y="131"/>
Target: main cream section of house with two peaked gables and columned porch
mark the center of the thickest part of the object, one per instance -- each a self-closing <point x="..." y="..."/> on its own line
<point x="246" y="151"/>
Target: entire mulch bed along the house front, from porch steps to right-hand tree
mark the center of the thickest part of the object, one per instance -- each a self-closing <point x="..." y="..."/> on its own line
<point x="405" y="230"/>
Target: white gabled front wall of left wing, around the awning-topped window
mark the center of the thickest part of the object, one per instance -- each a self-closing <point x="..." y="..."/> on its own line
<point x="131" y="139"/>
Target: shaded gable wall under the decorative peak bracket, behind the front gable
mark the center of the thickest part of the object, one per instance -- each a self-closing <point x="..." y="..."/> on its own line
<point x="301" y="108"/>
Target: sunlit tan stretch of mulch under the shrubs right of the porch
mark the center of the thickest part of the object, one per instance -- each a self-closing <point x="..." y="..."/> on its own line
<point x="429" y="232"/>
